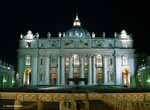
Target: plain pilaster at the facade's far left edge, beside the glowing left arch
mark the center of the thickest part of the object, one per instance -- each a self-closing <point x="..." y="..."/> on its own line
<point x="21" y="62"/>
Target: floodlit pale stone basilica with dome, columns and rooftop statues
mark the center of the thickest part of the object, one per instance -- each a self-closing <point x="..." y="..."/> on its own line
<point x="76" y="54"/>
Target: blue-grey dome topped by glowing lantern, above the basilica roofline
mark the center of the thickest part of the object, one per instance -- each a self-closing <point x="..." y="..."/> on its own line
<point x="77" y="31"/>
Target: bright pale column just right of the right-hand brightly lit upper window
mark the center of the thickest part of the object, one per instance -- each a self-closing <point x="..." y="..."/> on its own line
<point x="105" y="70"/>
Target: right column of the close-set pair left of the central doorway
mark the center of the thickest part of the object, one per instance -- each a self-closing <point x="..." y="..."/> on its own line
<point x="62" y="71"/>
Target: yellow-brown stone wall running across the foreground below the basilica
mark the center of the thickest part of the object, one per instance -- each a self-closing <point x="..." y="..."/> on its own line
<point x="117" y="101"/>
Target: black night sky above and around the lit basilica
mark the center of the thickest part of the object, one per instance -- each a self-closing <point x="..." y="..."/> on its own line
<point x="110" y="16"/>
